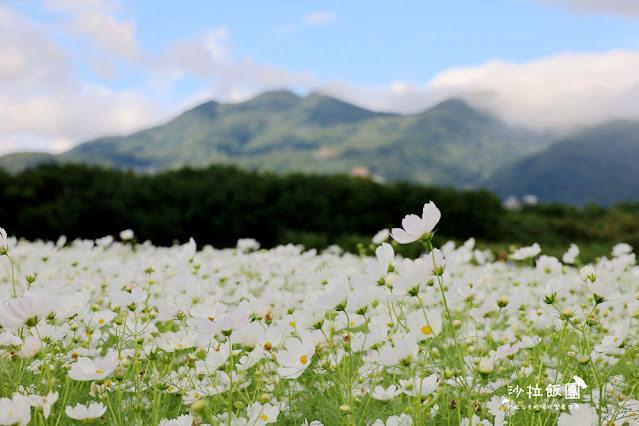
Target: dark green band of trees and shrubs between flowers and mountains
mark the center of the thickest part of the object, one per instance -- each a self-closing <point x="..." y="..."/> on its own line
<point x="220" y="204"/>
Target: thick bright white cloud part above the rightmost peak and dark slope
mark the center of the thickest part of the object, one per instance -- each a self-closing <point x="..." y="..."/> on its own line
<point x="560" y="91"/>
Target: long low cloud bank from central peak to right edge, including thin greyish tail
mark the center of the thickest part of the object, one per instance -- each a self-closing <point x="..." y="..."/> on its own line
<point x="557" y="92"/>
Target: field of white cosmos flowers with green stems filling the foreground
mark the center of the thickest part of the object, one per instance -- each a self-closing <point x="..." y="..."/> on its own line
<point x="114" y="331"/>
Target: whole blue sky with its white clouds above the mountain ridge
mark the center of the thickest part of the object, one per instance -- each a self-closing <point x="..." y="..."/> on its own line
<point x="71" y="70"/>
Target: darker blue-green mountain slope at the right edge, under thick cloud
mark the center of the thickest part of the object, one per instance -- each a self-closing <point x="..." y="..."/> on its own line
<point x="598" y="165"/>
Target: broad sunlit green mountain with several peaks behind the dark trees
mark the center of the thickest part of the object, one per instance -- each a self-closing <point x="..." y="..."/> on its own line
<point x="449" y="144"/>
